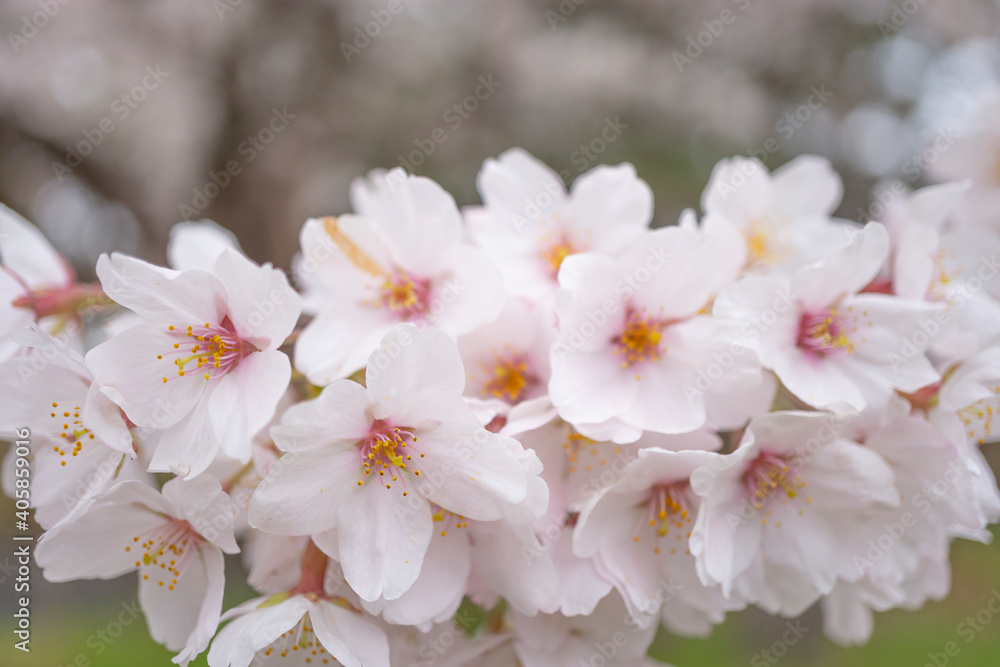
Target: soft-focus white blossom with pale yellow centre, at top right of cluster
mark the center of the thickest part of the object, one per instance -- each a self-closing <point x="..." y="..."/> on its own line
<point x="781" y="219"/>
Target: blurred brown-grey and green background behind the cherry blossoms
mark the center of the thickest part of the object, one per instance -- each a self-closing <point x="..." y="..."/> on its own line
<point x="120" y="118"/>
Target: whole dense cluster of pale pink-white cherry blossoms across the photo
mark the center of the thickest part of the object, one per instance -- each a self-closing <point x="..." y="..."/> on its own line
<point x="521" y="432"/>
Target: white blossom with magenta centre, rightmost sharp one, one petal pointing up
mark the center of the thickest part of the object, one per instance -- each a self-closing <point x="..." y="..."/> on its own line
<point x="826" y="342"/>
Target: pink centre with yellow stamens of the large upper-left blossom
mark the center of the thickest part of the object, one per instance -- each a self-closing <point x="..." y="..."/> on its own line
<point x="209" y="350"/>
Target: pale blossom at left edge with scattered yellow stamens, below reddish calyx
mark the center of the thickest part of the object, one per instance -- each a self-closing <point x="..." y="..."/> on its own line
<point x="81" y="437"/>
